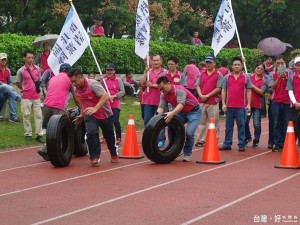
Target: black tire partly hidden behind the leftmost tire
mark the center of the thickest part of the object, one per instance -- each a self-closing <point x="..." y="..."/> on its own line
<point x="80" y="146"/>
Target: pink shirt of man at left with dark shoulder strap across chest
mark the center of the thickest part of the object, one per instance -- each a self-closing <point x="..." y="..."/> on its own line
<point x="28" y="86"/>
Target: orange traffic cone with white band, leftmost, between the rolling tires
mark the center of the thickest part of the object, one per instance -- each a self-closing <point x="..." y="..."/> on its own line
<point x="130" y="148"/>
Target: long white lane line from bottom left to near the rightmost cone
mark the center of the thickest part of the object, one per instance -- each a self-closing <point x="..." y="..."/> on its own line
<point x="144" y="190"/>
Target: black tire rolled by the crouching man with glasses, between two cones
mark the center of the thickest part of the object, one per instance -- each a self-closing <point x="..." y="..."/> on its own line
<point x="151" y="132"/>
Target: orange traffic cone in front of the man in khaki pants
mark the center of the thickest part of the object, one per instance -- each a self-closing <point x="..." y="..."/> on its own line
<point x="211" y="149"/>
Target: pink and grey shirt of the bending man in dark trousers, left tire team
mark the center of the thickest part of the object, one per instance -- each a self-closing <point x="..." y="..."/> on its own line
<point x="90" y="99"/>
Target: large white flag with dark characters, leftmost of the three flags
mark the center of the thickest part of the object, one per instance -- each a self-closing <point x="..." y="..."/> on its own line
<point x="70" y="44"/>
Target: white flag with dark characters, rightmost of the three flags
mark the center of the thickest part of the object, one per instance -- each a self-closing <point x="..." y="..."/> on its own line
<point x="224" y="27"/>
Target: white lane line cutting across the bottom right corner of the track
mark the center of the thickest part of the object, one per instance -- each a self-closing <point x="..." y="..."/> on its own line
<point x="240" y="199"/>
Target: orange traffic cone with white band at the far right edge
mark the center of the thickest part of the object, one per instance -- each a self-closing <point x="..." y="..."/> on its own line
<point x="289" y="158"/>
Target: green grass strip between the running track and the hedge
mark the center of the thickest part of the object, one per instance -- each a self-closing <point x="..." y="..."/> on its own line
<point x="12" y="134"/>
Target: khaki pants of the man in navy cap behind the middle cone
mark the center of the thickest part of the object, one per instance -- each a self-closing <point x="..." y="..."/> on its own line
<point x="208" y="111"/>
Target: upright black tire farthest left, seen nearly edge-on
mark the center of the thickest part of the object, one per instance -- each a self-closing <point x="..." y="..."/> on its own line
<point x="60" y="140"/>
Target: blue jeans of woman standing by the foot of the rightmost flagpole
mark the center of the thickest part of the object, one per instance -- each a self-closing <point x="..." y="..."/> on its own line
<point x="256" y="112"/>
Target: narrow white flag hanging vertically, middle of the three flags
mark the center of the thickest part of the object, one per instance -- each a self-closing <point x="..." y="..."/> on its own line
<point x="142" y="32"/>
